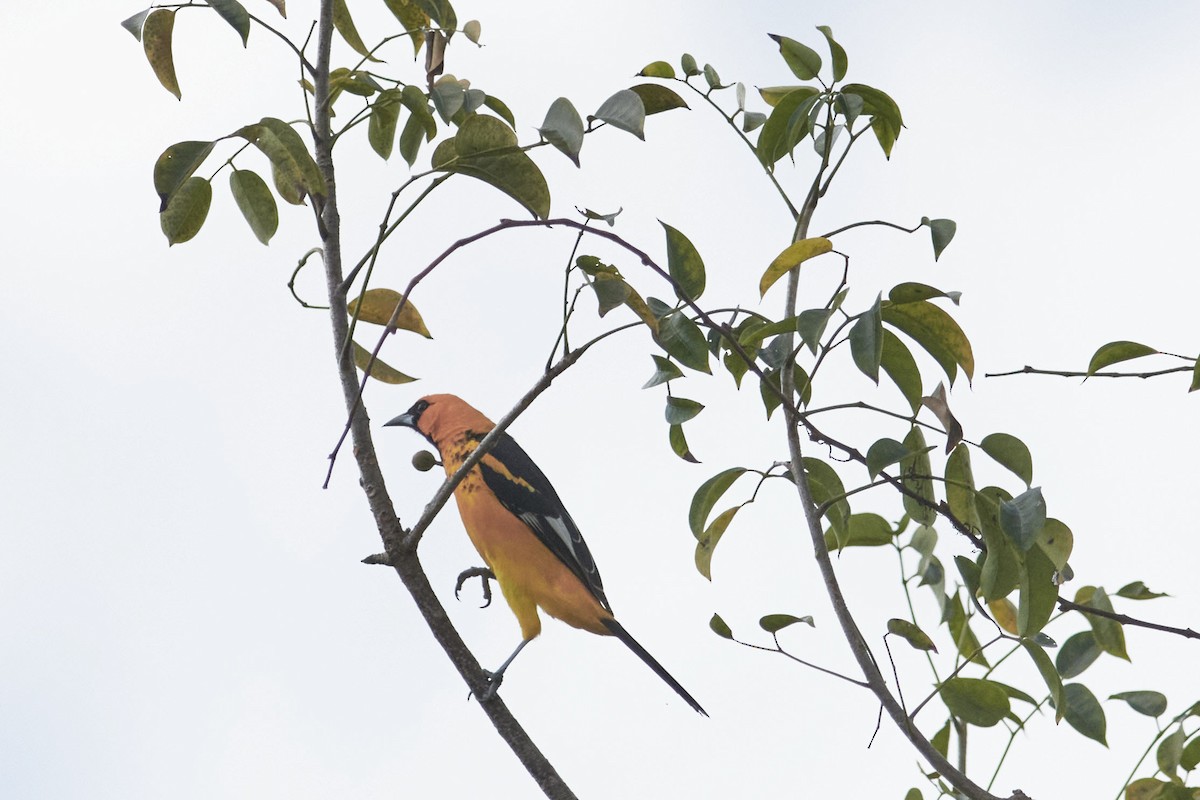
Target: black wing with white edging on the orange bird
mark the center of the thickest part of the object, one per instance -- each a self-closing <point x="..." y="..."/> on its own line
<point x="526" y="492"/>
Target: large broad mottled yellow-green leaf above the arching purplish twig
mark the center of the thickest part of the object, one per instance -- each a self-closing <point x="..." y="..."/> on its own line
<point x="487" y="149"/>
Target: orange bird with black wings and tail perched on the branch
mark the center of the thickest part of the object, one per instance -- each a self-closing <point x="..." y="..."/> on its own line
<point x="523" y="531"/>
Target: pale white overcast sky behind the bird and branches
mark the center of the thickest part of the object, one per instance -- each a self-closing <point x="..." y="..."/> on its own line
<point x="182" y="606"/>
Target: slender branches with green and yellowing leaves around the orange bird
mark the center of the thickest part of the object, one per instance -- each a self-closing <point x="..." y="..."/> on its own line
<point x="791" y="358"/>
